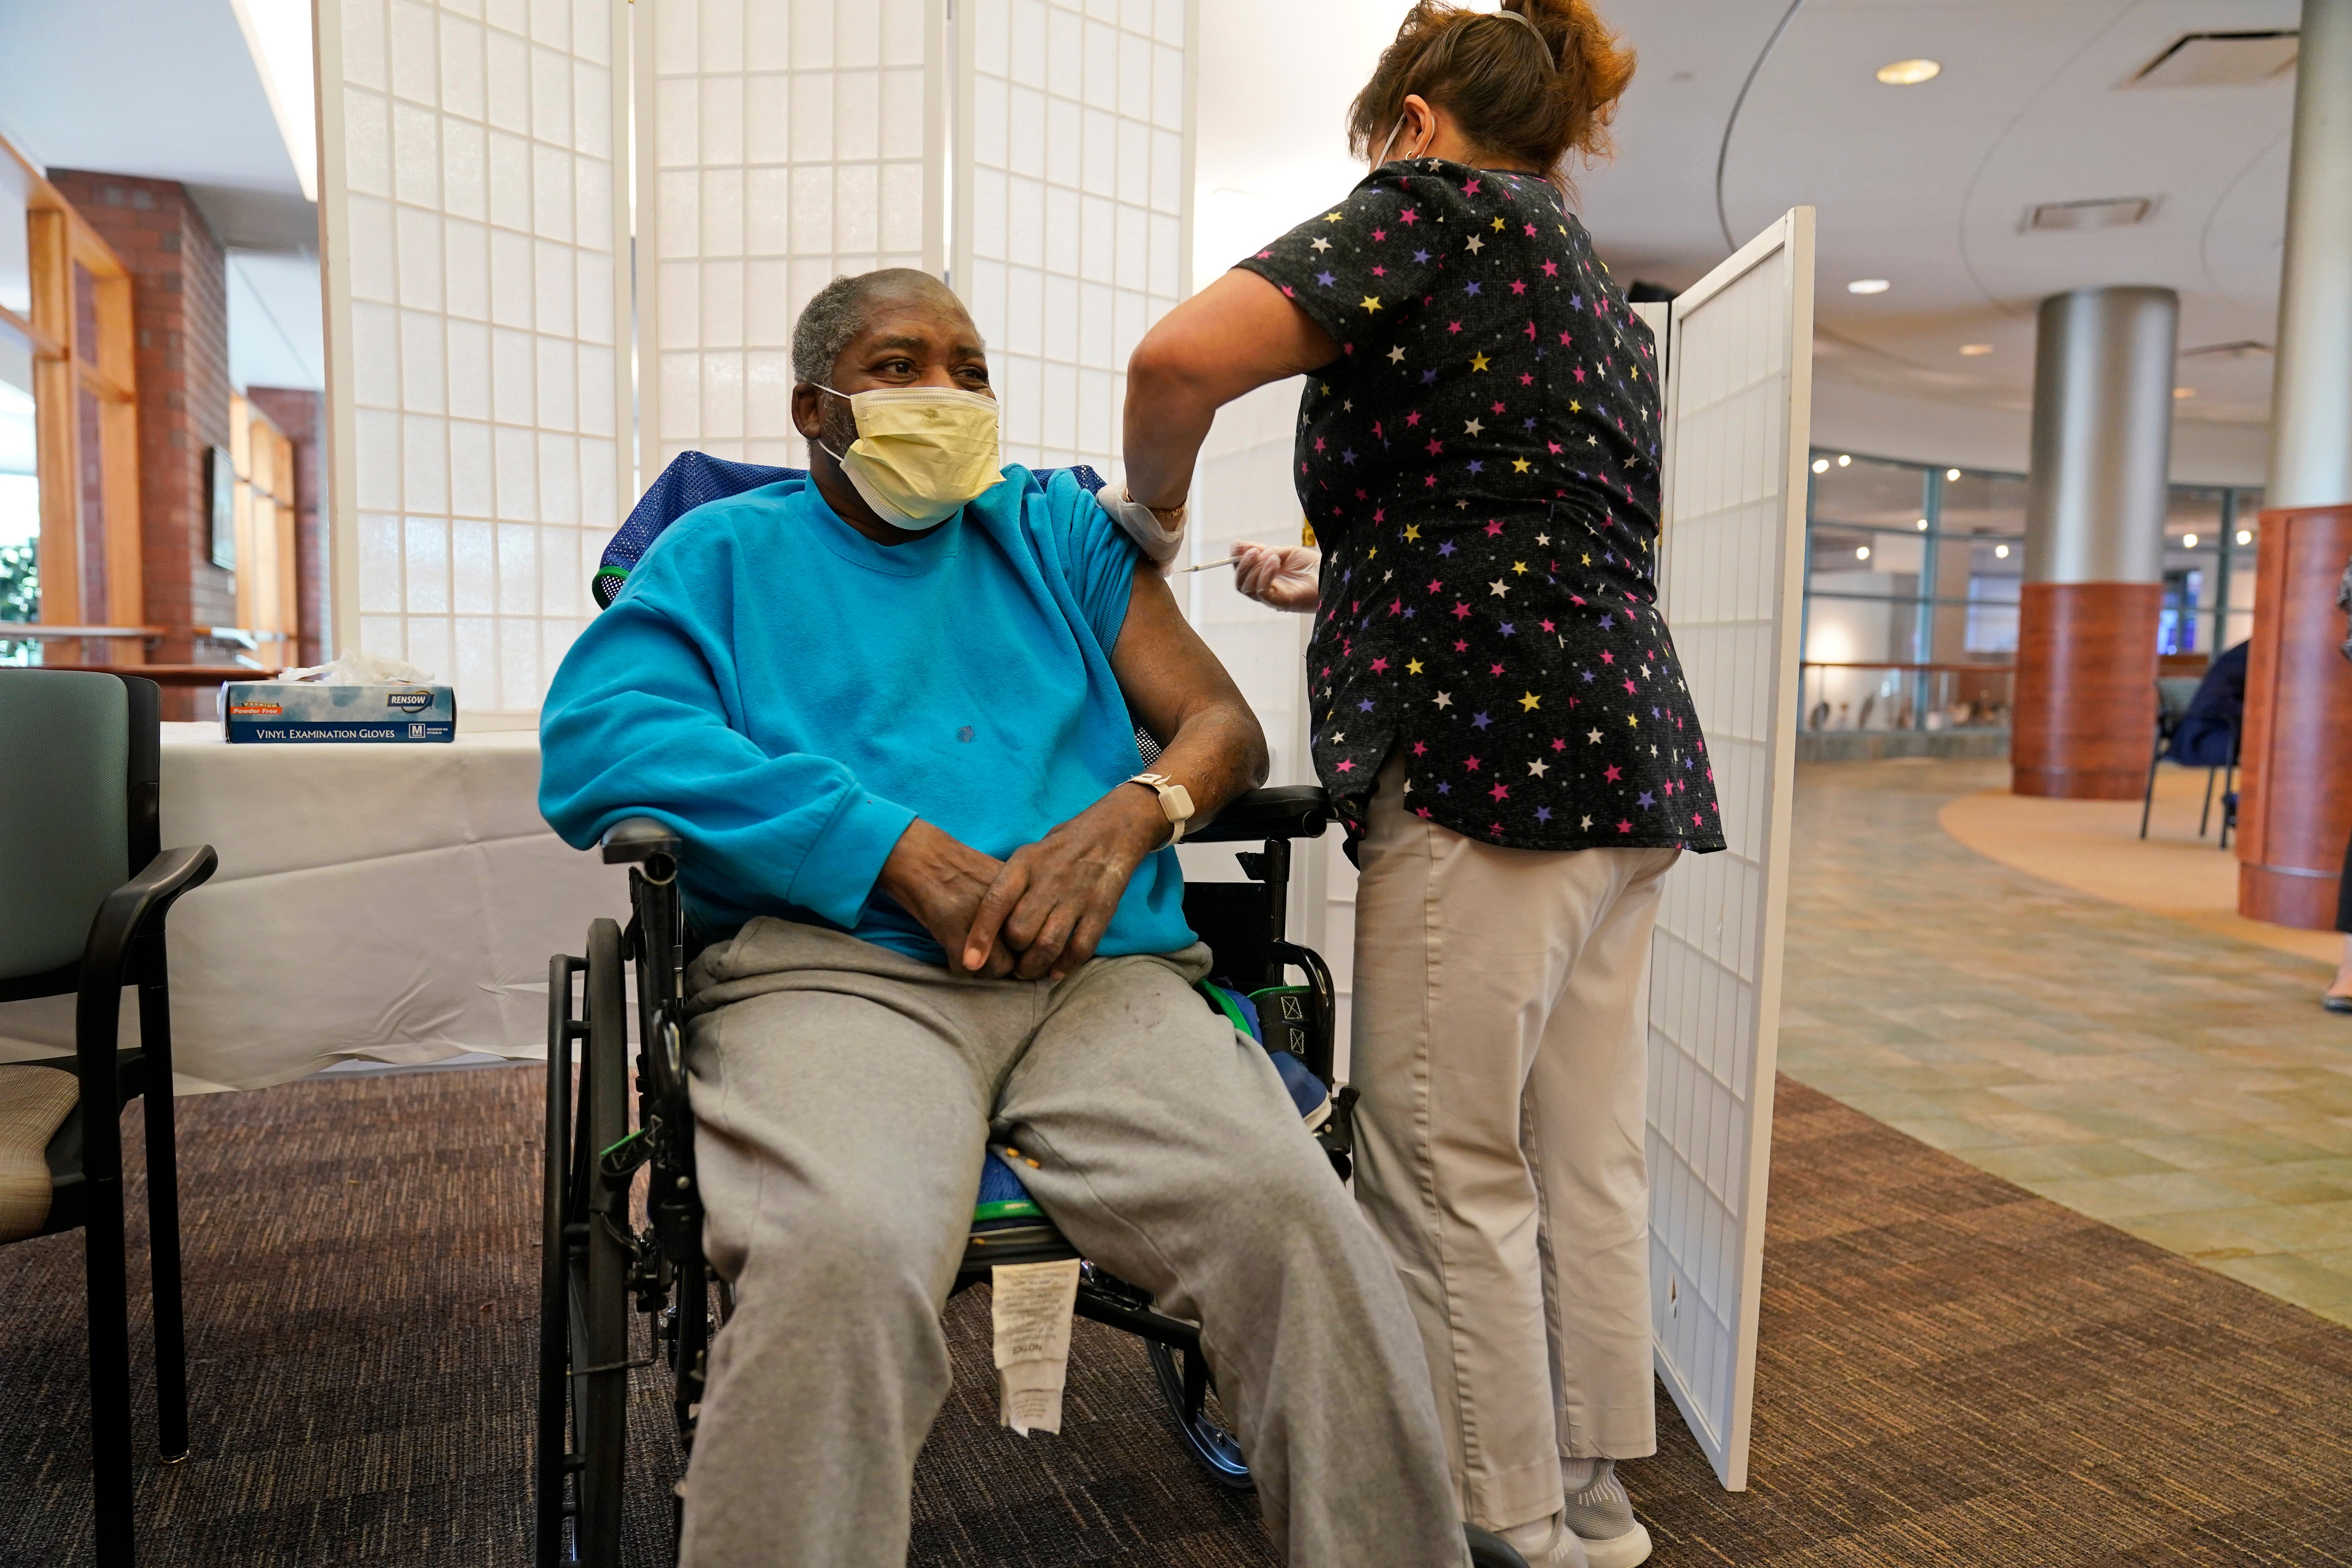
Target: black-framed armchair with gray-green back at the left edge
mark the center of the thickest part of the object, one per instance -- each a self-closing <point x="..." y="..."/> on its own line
<point x="83" y="899"/>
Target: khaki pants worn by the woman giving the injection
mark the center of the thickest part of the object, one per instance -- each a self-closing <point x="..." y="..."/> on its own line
<point x="1502" y="1017"/>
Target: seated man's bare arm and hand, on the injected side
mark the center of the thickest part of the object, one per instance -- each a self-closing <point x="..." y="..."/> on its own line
<point x="1055" y="899"/>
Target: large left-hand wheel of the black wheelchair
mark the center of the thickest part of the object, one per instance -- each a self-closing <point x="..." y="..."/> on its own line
<point x="584" y="1304"/>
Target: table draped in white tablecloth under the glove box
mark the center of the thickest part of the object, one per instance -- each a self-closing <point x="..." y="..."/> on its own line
<point x="389" y="904"/>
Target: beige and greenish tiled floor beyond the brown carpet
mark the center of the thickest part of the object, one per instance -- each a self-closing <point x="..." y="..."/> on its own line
<point x="2137" y="1068"/>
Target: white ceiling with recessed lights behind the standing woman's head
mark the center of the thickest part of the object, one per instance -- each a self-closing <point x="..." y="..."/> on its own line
<point x="1925" y="187"/>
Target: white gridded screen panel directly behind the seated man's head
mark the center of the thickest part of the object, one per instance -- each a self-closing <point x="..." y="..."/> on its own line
<point x="782" y="142"/>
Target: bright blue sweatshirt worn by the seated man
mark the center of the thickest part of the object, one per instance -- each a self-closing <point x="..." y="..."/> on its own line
<point x="789" y="697"/>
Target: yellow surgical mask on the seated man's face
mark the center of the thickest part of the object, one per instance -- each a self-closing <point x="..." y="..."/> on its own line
<point x="923" y="453"/>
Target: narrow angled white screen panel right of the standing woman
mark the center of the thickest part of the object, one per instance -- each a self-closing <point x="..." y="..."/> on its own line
<point x="1739" y="406"/>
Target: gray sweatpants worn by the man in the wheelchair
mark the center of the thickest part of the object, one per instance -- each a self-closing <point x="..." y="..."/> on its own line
<point x="843" y="1099"/>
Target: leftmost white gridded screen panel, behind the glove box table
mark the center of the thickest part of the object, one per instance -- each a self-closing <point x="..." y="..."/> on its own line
<point x="474" y="213"/>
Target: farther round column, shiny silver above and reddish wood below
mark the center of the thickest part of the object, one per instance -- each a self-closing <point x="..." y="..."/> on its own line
<point x="2094" y="544"/>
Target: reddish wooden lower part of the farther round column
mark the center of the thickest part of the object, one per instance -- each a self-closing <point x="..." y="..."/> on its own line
<point x="2087" y="690"/>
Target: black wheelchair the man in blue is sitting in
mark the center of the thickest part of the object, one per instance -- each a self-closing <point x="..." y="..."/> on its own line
<point x="613" y="1130"/>
